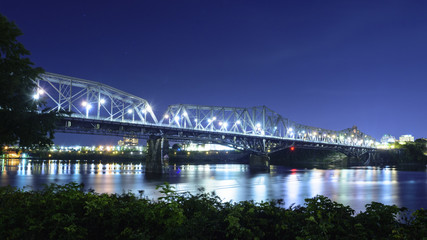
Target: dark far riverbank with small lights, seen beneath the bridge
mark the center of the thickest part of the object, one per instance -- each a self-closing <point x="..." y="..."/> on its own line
<point x="299" y="158"/>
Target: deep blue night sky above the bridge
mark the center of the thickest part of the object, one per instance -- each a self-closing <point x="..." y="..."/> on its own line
<point x="328" y="64"/>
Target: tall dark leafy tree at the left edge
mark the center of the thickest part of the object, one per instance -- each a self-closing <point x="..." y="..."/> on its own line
<point x="21" y="120"/>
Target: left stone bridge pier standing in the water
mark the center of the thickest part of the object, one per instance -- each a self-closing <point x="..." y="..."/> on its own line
<point x="155" y="161"/>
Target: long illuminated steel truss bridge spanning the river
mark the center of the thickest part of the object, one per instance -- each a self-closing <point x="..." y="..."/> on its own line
<point x="100" y="109"/>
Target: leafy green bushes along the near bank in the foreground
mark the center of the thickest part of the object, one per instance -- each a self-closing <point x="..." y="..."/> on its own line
<point x="74" y="213"/>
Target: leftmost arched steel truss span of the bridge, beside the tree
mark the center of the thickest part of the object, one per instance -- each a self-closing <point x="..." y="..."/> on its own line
<point x="89" y="99"/>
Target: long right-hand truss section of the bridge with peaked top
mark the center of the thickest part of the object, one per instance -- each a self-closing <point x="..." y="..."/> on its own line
<point x="260" y="128"/>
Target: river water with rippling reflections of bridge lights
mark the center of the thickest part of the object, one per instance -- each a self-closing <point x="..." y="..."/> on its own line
<point x="354" y="186"/>
